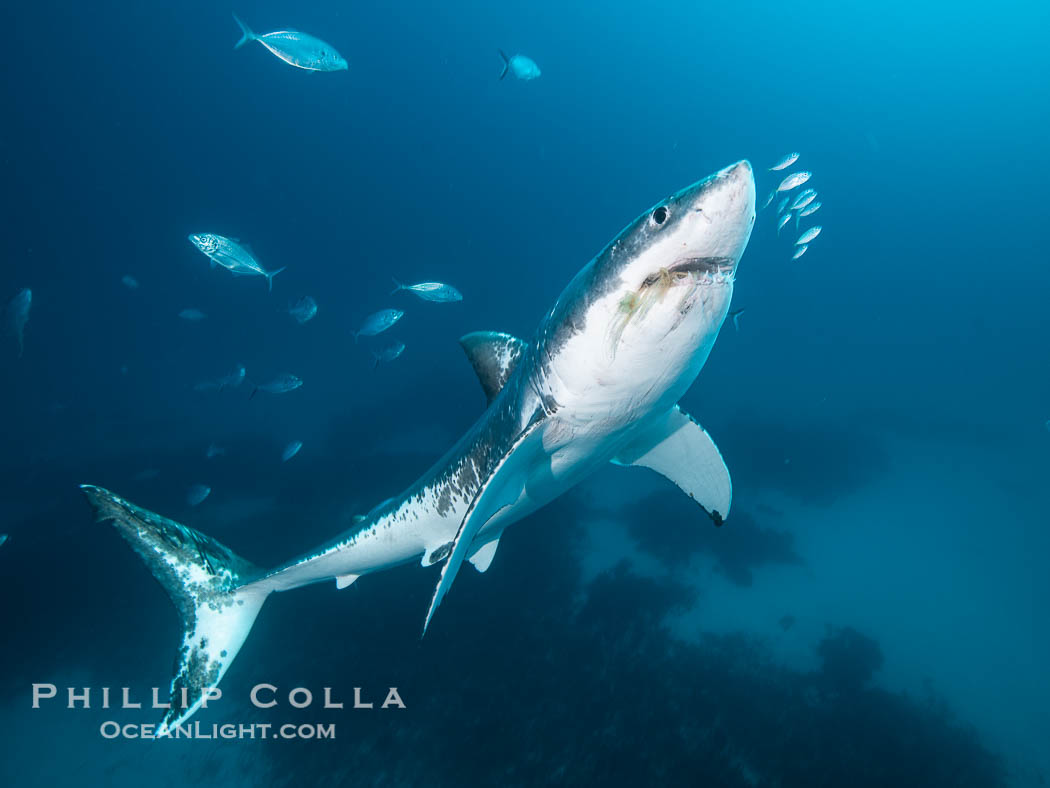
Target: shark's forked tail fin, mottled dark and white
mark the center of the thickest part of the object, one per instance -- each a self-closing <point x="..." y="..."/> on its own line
<point x="211" y="588"/>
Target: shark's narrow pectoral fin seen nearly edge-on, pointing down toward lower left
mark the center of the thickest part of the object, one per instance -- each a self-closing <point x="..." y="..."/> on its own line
<point x="503" y="488"/>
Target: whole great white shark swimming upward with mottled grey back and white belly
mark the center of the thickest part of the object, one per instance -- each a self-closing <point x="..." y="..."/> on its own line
<point x="599" y="384"/>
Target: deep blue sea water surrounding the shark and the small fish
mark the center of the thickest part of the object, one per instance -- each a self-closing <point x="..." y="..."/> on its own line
<point x="873" y="613"/>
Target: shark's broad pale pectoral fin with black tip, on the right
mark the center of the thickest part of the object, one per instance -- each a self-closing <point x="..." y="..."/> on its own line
<point x="681" y="450"/>
